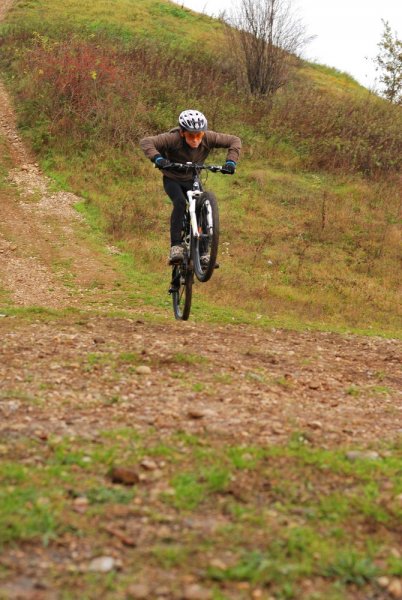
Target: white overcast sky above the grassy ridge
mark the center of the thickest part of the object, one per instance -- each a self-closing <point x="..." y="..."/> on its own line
<point x="347" y="31"/>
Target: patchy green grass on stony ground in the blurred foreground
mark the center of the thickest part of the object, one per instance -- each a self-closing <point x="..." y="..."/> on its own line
<point x="273" y="515"/>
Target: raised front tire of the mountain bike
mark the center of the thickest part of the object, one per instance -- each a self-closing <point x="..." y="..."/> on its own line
<point x="210" y="238"/>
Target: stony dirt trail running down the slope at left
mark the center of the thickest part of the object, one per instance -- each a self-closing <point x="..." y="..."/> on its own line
<point x="40" y="231"/>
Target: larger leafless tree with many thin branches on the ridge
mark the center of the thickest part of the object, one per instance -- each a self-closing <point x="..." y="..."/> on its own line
<point x="267" y="35"/>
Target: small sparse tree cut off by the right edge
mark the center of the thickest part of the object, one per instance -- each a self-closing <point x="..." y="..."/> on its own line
<point x="389" y="63"/>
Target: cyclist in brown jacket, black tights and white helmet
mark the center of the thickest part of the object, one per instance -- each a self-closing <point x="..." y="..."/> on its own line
<point x="191" y="141"/>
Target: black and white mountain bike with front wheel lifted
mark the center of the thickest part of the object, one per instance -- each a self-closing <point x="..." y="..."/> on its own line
<point x="200" y="238"/>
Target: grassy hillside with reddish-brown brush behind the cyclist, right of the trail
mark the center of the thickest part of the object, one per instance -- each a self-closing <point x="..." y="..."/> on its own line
<point x="306" y="236"/>
